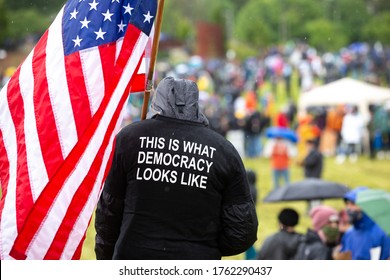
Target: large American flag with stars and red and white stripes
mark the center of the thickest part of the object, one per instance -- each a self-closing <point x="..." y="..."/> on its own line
<point x="59" y="114"/>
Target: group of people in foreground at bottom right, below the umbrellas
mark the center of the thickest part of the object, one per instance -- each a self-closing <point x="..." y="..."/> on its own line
<point x="346" y="234"/>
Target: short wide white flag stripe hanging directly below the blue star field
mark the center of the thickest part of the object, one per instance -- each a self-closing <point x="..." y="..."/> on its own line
<point x="94" y="78"/>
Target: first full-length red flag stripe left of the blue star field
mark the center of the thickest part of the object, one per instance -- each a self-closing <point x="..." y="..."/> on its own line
<point x="46" y="125"/>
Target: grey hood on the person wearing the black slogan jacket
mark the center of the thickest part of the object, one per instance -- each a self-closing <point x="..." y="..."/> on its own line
<point x="177" y="98"/>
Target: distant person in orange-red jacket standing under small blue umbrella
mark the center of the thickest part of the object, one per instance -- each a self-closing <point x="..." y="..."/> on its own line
<point x="280" y="151"/>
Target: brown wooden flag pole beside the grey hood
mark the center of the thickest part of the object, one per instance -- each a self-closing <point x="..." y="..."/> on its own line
<point x="153" y="58"/>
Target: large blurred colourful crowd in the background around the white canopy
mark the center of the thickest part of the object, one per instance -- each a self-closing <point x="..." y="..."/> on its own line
<point x="242" y="99"/>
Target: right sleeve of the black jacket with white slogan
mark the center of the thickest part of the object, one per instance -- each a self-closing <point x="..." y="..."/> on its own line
<point x="239" y="218"/>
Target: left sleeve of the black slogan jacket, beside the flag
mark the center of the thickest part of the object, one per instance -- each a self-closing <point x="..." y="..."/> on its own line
<point x="109" y="211"/>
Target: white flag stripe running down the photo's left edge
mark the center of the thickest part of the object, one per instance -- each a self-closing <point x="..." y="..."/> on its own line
<point x="8" y="220"/>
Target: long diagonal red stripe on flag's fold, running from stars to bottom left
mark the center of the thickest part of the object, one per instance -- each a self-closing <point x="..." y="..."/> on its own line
<point x="50" y="192"/>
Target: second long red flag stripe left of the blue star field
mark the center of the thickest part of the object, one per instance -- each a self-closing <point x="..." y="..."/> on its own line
<point x="24" y="200"/>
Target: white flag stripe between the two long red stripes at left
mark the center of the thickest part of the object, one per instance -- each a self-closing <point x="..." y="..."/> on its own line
<point x="36" y="167"/>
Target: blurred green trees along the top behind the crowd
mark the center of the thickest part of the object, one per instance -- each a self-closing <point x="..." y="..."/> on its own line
<point x="327" y="24"/>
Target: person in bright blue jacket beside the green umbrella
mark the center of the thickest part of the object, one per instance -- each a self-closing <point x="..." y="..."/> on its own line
<point x="365" y="240"/>
